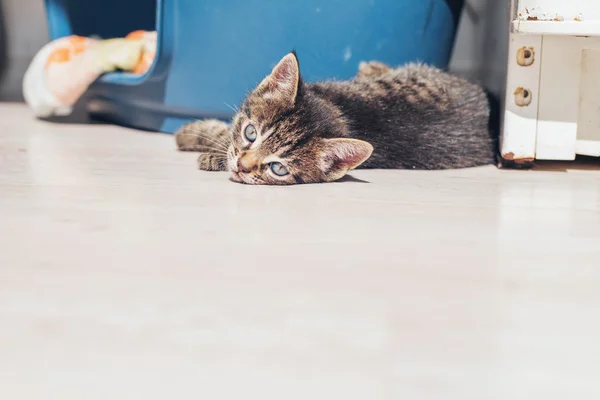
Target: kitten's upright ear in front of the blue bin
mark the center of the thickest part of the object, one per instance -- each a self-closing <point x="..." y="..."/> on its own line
<point x="282" y="84"/>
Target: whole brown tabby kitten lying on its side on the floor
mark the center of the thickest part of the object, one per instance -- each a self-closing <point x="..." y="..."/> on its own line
<point x="288" y="131"/>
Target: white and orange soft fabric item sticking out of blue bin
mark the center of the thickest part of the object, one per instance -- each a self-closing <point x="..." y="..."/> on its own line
<point x="64" y="68"/>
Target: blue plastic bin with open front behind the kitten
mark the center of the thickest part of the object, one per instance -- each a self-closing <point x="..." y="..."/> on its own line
<point x="212" y="52"/>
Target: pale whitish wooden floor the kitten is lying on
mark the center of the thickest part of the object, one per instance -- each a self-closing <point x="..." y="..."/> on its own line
<point x="125" y="273"/>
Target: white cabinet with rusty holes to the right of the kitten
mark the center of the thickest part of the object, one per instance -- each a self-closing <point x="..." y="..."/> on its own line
<point x="552" y="104"/>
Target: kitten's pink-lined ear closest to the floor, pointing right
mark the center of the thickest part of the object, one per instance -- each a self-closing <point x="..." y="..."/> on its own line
<point x="338" y="156"/>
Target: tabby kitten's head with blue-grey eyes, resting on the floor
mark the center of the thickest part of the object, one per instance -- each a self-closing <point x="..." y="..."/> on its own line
<point x="283" y="134"/>
